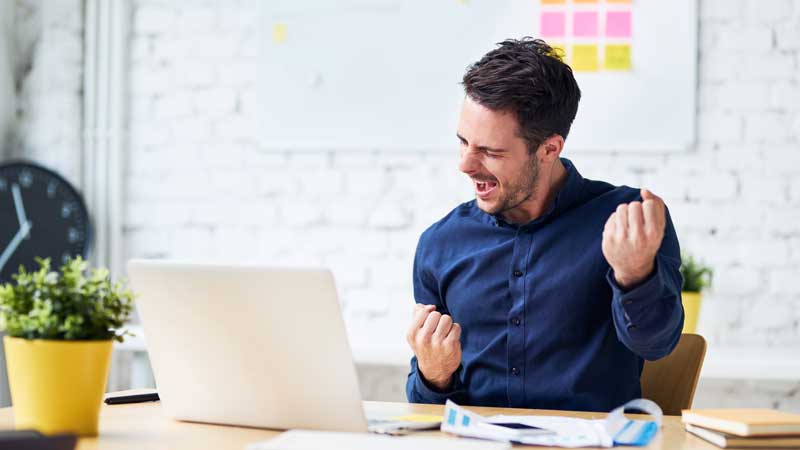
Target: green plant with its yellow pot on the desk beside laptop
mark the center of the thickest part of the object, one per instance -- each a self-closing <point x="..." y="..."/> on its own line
<point x="60" y="328"/>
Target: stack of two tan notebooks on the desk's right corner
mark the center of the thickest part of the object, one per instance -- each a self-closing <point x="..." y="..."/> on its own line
<point x="744" y="428"/>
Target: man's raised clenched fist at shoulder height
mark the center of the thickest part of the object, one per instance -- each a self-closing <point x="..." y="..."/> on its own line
<point x="632" y="237"/>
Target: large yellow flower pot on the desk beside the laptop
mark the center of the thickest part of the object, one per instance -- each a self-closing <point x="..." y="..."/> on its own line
<point x="57" y="386"/>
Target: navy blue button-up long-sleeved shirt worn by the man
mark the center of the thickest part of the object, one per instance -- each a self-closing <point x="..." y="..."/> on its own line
<point x="544" y="323"/>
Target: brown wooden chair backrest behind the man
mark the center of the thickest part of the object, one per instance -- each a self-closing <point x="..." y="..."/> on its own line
<point x="672" y="380"/>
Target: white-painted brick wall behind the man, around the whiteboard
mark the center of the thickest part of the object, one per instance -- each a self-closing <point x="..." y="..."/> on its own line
<point x="199" y="186"/>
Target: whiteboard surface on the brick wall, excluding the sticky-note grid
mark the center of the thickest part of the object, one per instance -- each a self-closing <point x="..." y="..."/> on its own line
<point x="385" y="74"/>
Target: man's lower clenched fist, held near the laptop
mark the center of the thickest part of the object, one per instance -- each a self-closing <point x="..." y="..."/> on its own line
<point x="434" y="338"/>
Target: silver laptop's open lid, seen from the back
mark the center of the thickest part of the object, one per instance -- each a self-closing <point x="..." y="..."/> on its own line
<point x="251" y="346"/>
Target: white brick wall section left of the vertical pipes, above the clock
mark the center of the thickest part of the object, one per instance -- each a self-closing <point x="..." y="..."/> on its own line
<point x="49" y="73"/>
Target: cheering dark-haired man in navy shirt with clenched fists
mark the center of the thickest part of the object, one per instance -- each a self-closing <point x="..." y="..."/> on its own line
<point x="548" y="290"/>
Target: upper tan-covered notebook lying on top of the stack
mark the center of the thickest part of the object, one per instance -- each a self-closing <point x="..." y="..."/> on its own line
<point x="745" y="422"/>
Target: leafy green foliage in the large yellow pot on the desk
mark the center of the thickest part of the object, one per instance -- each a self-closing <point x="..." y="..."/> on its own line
<point x="69" y="304"/>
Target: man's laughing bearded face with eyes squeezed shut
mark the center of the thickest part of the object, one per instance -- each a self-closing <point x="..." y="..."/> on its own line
<point x="496" y="158"/>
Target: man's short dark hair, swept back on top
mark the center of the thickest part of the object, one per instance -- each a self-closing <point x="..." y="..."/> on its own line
<point x="528" y="78"/>
